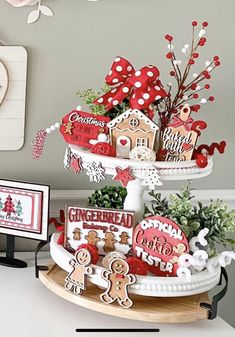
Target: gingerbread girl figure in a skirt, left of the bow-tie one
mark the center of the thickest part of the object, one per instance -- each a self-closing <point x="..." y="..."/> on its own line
<point x="76" y="281"/>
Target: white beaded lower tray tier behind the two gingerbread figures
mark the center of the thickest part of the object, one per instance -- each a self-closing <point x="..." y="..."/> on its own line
<point x="145" y="285"/>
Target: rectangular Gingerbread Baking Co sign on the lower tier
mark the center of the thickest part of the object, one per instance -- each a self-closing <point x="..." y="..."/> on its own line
<point x="107" y="229"/>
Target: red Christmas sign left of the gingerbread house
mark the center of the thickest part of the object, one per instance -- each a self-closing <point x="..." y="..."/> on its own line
<point x="79" y="127"/>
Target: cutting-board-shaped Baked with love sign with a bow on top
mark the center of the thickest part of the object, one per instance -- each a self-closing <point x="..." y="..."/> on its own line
<point x="178" y="139"/>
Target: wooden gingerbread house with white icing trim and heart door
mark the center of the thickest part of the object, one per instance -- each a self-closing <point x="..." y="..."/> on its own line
<point x="132" y="128"/>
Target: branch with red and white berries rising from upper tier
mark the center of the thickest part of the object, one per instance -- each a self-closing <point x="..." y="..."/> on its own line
<point x="188" y="89"/>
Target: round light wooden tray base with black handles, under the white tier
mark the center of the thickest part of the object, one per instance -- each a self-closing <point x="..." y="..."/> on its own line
<point x="150" y="309"/>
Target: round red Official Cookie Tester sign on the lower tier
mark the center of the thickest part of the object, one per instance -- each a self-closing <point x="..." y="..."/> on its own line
<point x="159" y="242"/>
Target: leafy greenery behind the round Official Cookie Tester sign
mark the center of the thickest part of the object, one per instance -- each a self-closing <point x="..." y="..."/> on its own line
<point x="192" y="218"/>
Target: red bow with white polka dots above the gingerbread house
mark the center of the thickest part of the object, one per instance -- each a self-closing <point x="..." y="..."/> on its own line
<point x="142" y="86"/>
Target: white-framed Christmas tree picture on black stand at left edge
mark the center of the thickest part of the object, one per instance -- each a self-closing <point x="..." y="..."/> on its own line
<point x="24" y="209"/>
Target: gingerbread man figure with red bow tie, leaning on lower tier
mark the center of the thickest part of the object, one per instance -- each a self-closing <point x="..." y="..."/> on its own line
<point x="118" y="281"/>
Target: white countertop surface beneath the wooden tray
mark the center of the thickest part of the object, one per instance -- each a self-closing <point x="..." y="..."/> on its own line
<point x="29" y="309"/>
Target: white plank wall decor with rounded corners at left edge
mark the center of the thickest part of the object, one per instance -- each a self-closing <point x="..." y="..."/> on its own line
<point x="13" y="70"/>
